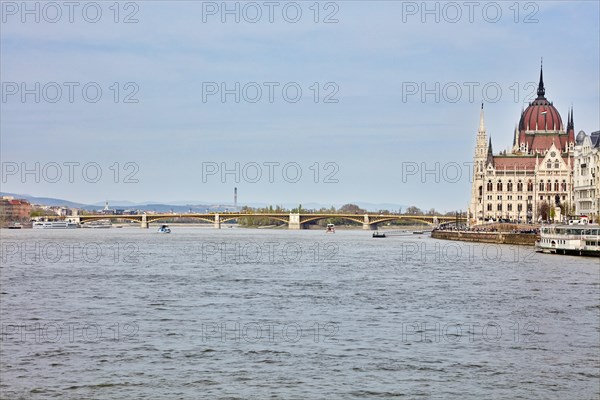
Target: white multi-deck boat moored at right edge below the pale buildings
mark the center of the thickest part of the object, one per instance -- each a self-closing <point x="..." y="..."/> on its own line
<point x="583" y="240"/>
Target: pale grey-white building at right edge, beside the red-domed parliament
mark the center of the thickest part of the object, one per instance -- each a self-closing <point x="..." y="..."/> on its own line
<point x="587" y="175"/>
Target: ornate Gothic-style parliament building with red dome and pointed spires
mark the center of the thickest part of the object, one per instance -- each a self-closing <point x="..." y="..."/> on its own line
<point x="536" y="175"/>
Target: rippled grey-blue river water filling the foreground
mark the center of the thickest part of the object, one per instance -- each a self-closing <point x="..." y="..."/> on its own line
<point x="236" y="313"/>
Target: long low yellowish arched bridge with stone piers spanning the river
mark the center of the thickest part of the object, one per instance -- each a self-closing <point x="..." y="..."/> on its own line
<point x="369" y="221"/>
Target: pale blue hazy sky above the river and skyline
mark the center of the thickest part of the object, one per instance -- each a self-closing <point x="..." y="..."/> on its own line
<point x="290" y="102"/>
